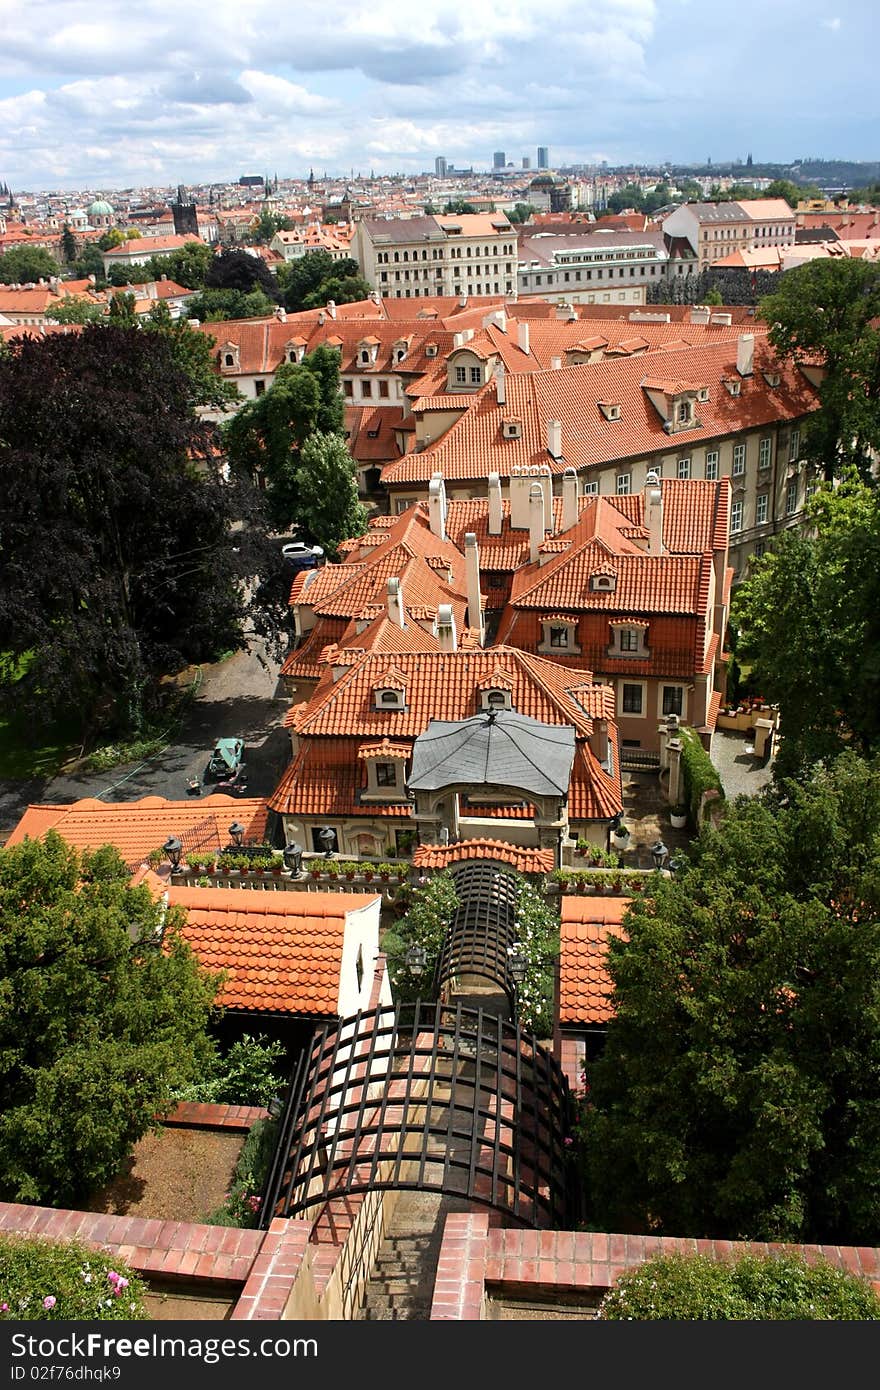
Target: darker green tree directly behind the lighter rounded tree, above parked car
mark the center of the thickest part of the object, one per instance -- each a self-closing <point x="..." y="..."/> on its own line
<point x="266" y="437"/>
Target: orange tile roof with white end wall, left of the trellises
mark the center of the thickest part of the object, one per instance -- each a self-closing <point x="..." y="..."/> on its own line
<point x="283" y="951"/>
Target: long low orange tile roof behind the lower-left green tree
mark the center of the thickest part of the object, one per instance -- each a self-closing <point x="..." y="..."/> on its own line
<point x="137" y="828"/>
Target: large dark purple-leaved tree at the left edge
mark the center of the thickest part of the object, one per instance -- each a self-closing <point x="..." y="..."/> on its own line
<point x="116" y="564"/>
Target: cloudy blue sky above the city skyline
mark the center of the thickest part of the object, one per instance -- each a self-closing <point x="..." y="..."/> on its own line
<point x="137" y="94"/>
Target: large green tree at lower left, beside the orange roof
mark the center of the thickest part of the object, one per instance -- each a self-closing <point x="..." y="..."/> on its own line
<point x="104" y="1013"/>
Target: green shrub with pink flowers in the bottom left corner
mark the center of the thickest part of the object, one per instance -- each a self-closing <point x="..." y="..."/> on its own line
<point x="45" y="1281"/>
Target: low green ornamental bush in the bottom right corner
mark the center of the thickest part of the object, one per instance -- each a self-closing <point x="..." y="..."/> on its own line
<point x="764" y="1289"/>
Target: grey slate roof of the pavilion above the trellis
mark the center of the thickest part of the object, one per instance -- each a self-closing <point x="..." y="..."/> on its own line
<point x="494" y="750"/>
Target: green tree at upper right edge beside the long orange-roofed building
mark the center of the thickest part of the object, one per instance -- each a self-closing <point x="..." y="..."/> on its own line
<point x="829" y="311"/>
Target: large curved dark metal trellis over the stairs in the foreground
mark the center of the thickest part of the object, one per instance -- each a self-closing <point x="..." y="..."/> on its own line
<point x="429" y="1099"/>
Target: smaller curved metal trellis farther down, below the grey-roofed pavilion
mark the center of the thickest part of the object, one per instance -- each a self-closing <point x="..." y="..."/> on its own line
<point x="483" y="929"/>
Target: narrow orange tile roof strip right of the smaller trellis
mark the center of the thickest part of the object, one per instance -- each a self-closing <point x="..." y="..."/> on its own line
<point x="585" y="985"/>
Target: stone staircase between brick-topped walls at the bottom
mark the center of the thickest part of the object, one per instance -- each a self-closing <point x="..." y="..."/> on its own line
<point x="402" y="1282"/>
